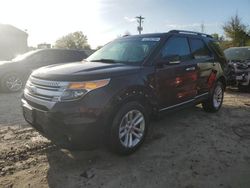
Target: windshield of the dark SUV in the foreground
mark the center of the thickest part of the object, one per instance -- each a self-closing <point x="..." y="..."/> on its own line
<point x="127" y="51"/>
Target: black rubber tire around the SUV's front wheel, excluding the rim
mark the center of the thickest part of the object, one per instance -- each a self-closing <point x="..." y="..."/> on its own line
<point x="114" y="140"/>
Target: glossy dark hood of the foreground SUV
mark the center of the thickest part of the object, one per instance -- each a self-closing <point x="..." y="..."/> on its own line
<point x="84" y="70"/>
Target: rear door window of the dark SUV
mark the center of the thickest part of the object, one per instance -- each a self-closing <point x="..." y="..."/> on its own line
<point x="199" y="49"/>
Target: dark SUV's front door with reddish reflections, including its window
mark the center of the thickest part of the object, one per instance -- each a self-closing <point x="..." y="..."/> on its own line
<point x="176" y="80"/>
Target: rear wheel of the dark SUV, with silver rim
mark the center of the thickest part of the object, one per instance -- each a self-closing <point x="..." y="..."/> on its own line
<point x="215" y="99"/>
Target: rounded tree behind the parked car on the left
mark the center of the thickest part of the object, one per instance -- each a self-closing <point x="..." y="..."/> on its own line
<point x="76" y="40"/>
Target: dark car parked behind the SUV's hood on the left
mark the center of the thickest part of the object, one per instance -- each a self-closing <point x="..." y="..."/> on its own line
<point x="14" y="73"/>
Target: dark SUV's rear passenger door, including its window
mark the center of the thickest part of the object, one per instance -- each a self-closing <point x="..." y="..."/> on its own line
<point x="205" y="63"/>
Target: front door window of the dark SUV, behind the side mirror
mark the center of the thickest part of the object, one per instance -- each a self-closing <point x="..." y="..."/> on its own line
<point x="176" y="46"/>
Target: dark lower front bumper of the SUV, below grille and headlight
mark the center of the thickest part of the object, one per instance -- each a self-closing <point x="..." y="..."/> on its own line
<point x="68" y="125"/>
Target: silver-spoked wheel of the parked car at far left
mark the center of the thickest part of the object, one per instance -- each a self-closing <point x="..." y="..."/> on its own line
<point x="11" y="82"/>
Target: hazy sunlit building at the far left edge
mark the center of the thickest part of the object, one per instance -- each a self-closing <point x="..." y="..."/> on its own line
<point x="13" y="42"/>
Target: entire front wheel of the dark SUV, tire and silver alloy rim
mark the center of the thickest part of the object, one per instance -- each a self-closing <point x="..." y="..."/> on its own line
<point x="125" y="137"/>
